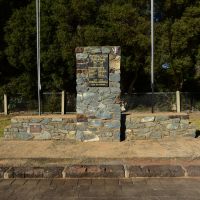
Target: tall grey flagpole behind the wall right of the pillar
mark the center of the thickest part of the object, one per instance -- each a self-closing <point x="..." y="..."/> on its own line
<point x="152" y="56"/>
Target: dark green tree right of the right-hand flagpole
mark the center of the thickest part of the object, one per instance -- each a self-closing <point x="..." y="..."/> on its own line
<point x="177" y="39"/>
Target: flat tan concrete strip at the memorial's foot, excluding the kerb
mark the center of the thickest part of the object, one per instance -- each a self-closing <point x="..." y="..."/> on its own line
<point x="165" y="148"/>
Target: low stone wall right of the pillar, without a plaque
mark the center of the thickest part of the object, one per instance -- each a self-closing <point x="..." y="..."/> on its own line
<point x="157" y="126"/>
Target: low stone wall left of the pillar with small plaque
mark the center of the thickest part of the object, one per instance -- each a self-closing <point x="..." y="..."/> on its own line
<point x="42" y="127"/>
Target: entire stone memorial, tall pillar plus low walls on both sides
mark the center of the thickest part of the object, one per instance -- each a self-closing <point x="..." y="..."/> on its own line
<point x="98" y="113"/>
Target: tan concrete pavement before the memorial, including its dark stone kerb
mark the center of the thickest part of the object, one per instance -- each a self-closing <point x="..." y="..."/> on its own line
<point x="142" y="158"/>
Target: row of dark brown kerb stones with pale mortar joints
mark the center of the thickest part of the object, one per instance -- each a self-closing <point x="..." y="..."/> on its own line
<point x="100" y="171"/>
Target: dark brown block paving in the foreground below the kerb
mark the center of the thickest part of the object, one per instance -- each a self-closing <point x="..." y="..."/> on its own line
<point x="101" y="189"/>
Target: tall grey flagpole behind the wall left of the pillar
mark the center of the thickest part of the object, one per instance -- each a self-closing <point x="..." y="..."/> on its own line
<point x="38" y="52"/>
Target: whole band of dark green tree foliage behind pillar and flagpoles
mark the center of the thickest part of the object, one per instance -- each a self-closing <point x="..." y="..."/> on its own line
<point x="66" y="24"/>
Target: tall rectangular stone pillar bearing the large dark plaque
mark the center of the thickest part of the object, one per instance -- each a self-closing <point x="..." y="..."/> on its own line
<point x="98" y="93"/>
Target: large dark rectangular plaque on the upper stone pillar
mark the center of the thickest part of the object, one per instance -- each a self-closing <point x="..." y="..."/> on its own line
<point x="98" y="70"/>
